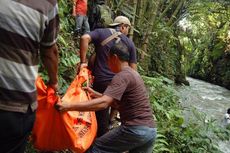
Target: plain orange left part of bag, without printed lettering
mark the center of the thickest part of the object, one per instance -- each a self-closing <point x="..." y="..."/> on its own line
<point x="49" y="130"/>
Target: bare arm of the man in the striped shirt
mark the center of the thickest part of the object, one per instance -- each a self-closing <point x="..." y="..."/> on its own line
<point x="49" y="56"/>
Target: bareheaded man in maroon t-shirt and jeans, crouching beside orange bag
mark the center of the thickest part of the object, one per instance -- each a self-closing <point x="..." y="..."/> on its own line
<point x="127" y="93"/>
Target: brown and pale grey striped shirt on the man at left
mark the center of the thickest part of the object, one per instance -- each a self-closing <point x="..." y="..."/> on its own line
<point x="25" y="25"/>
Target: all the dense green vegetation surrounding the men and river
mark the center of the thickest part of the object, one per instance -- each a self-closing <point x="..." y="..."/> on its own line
<point x="174" y="38"/>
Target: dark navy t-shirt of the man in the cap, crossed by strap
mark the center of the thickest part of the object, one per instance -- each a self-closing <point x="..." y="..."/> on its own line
<point x="101" y="69"/>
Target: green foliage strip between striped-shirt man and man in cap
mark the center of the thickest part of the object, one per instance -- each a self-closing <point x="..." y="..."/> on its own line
<point x="68" y="57"/>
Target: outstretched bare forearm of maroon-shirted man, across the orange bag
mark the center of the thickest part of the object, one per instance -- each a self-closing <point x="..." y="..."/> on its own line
<point x="91" y="105"/>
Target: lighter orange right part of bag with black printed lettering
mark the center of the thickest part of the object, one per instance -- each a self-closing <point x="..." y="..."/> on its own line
<point x="85" y="124"/>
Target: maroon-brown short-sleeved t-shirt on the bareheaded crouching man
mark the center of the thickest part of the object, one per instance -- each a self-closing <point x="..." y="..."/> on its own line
<point x="133" y="104"/>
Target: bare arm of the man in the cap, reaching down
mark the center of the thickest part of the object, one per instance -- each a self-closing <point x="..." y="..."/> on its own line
<point x="84" y="44"/>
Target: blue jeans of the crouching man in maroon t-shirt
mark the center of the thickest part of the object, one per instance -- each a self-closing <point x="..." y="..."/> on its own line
<point x="135" y="139"/>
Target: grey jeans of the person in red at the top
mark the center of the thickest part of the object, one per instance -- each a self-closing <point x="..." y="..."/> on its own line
<point x="82" y="24"/>
